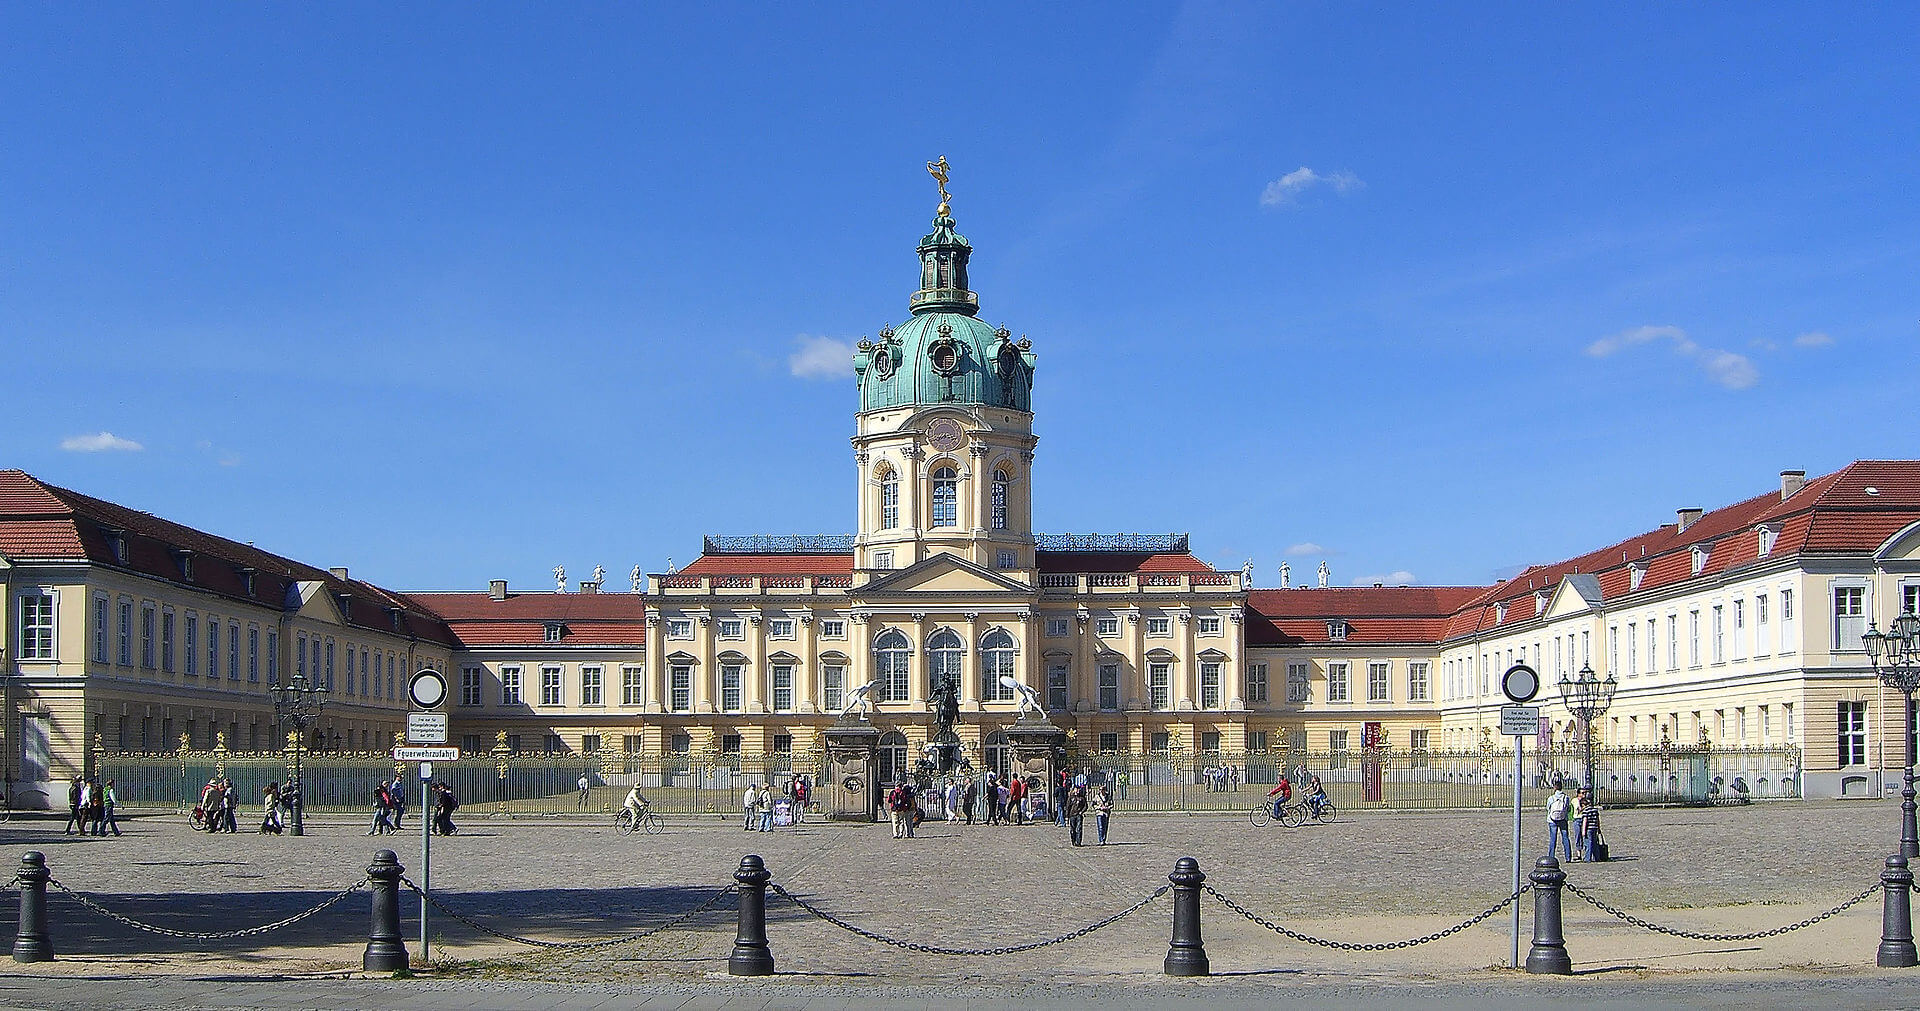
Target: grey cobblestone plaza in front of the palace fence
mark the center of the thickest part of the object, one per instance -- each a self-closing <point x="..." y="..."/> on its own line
<point x="1374" y="878"/>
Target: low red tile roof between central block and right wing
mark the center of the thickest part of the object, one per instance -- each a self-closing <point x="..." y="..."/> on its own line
<point x="1372" y="615"/>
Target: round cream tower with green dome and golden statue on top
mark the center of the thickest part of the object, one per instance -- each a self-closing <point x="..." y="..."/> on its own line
<point x="946" y="429"/>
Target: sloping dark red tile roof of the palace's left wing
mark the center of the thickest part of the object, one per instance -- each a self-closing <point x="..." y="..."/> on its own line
<point x="49" y="523"/>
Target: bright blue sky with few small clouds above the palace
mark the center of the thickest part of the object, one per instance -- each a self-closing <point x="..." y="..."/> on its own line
<point x="448" y="293"/>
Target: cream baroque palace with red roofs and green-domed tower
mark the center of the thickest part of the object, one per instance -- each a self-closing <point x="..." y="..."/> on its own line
<point x="1737" y="626"/>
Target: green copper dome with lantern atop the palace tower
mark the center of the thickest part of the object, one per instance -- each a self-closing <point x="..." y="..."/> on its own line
<point x="946" y="354"/>
